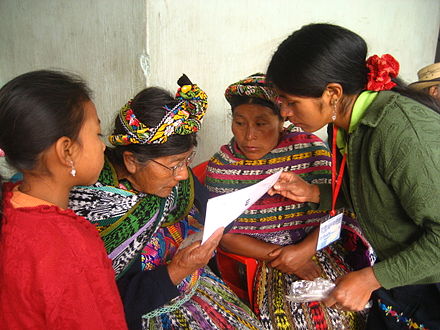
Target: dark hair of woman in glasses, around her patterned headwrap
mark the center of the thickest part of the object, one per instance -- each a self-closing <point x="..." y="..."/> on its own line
<point x="148" y="107"/>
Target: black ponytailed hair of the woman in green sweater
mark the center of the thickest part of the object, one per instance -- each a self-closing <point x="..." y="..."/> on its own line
<point x="319" y="54"/>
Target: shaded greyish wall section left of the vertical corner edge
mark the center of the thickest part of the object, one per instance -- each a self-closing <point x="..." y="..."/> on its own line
<point x="101" y="40"/>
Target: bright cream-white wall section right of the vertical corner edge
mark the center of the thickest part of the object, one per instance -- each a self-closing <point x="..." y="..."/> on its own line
<point x="219" y="42"/>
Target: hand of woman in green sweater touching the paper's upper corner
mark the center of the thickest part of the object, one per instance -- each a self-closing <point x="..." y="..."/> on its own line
<point x="293" y="187"/>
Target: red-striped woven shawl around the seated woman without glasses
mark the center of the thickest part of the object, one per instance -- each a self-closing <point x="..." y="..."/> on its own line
<point x="300" y="152"/>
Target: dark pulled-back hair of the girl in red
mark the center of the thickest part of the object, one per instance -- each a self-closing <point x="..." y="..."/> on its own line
<point x="36" y="109"/>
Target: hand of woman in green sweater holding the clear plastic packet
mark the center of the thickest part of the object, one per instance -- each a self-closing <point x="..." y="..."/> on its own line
<point x="353" y="290"/>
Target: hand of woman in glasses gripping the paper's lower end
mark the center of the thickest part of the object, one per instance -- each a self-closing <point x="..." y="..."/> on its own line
<point x="193" y="257"/>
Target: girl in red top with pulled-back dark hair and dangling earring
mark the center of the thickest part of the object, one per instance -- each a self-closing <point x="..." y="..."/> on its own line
<point x="54" y="272"/>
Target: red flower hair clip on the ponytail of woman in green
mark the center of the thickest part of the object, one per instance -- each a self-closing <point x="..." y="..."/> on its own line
<point x="381" y="70"/>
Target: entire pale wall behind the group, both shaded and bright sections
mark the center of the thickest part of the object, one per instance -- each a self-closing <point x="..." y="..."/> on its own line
<point x="216" y="42"/>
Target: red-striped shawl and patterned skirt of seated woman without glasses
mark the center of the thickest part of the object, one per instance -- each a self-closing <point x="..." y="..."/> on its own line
<point x="281" y="221"/>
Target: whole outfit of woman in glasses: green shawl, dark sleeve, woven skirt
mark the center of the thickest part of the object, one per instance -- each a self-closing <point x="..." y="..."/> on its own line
<point x="142" y="233"/>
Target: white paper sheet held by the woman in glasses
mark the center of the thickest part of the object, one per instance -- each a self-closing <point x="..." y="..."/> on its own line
<point x="224" y="209"/>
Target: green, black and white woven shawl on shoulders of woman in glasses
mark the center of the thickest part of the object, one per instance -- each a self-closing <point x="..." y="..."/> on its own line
<point x="125" y="219"/>
